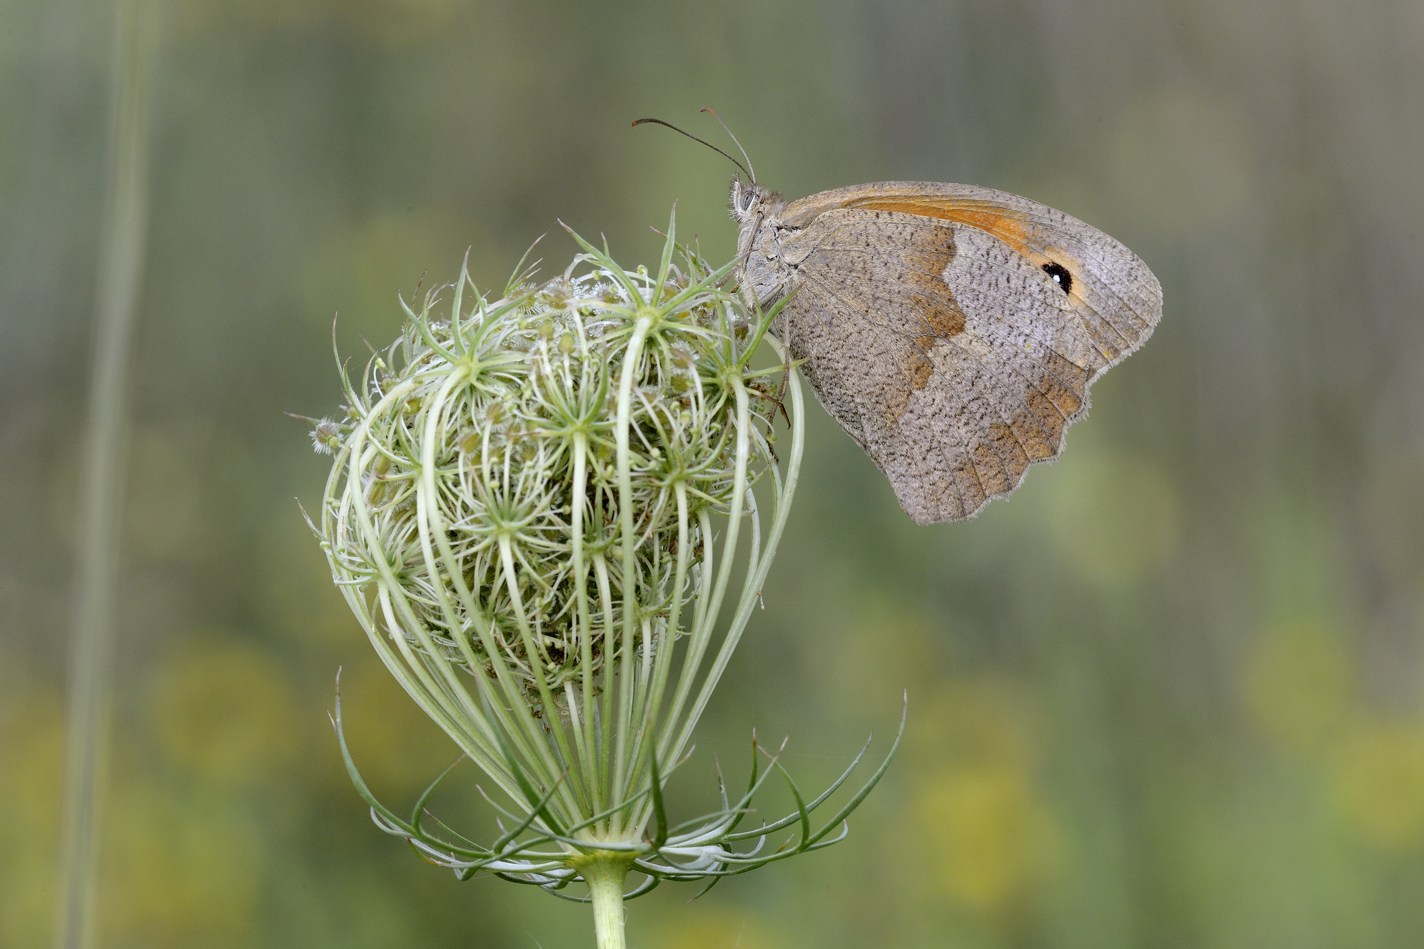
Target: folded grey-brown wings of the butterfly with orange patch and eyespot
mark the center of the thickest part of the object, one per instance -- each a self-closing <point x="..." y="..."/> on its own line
<point x="955" y="331"/>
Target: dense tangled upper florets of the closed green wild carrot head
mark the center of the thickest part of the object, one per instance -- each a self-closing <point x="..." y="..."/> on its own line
<point x="559" y="427"/>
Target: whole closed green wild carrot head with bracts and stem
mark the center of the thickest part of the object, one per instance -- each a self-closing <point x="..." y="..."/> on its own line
<point x="553" y="514"/>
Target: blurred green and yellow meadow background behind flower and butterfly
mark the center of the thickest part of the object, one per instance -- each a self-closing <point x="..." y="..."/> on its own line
<point x="1171" y="695"/>
